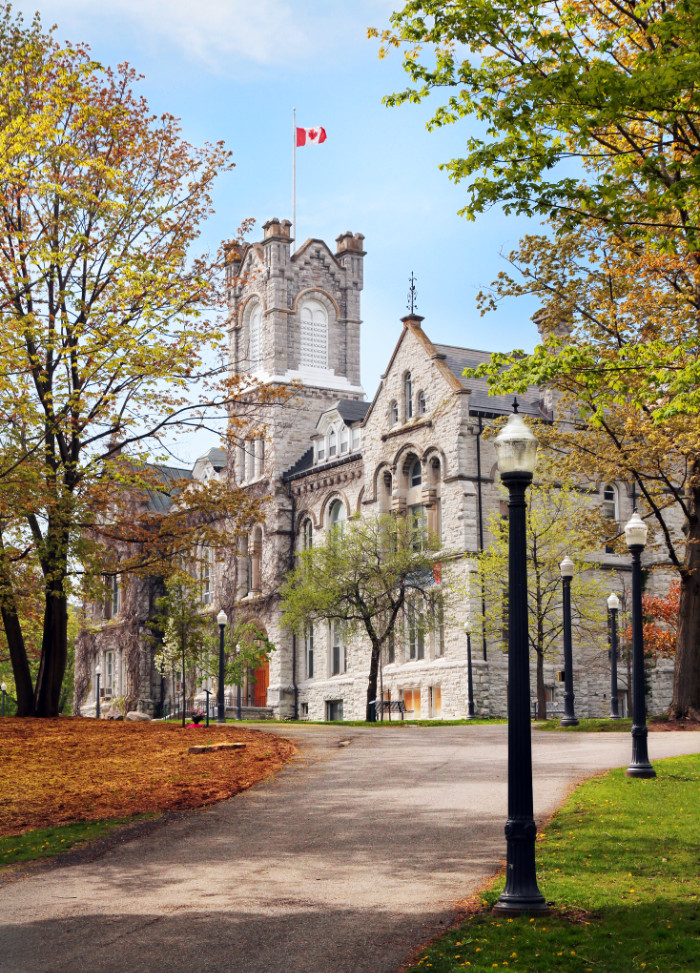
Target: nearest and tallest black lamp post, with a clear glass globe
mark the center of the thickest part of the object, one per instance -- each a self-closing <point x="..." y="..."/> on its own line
<point x="516" y="453"/>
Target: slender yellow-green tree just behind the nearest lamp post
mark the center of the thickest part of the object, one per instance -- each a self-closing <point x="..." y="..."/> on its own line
<point x="557" y="527"/>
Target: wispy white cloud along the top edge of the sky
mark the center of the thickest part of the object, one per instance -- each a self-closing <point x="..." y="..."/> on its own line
<point x="228" y="34"/>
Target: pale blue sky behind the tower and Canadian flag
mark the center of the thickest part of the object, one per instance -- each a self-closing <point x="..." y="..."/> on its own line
<point x="234" y="70"/>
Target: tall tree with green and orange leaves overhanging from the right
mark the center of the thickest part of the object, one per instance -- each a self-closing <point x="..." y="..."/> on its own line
<point x="589" y="114"/>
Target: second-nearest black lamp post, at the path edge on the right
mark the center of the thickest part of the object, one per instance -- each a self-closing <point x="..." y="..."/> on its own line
<point x="636" y="535"/>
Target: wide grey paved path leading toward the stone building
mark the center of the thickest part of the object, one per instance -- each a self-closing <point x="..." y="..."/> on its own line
<point x="345" y="862"/>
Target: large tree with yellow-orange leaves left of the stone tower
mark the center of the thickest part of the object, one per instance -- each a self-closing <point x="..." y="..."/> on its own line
<point x="107" y="324"/>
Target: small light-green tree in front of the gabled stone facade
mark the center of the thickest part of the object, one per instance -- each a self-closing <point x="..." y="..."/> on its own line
<point x="366" y="576"/>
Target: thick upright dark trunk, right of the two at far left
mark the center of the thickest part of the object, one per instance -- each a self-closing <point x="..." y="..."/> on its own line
<point x="54" y="648"/>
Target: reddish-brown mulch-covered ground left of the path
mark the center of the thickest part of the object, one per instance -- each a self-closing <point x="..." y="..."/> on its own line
<point x="71" y="769"/>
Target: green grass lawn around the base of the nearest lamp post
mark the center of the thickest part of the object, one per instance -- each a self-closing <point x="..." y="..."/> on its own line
<point x="619" y="860"/>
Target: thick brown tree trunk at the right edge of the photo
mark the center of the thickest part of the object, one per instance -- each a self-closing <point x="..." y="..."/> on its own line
<point x="686" y="677"/>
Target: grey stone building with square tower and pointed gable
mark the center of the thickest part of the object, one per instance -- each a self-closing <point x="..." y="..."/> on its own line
<point x="327" y="453"/>
